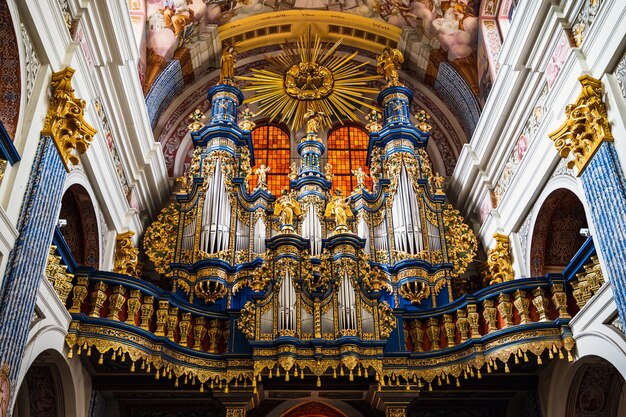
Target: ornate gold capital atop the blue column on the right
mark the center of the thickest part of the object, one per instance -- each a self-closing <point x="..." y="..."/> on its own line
<point x="586" y="126"/>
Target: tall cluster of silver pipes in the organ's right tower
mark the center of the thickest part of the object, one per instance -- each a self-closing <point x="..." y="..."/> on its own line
<point x="407" y="224"/>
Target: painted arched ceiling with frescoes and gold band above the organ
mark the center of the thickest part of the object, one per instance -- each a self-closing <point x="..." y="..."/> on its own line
<point x="438" y="41"/>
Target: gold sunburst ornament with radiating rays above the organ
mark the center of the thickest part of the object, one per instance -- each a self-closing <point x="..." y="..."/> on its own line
<point x="310" y="76"/>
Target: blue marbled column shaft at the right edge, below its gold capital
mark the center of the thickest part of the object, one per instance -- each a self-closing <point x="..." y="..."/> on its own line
<point x="605" y="189"/>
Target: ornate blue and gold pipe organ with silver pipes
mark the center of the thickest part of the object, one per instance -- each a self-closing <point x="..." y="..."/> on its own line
<point x="309" y="265"/>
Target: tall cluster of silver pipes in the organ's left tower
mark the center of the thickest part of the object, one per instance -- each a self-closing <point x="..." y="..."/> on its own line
<point x="216" y="215"/>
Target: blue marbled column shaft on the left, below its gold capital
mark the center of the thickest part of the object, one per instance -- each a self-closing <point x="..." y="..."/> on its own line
<point x="28" y="258"/>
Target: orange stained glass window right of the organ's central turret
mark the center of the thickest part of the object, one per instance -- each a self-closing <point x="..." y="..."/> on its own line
<point x="347" y="151"/>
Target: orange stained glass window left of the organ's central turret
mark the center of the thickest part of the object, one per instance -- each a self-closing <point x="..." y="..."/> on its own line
<point x="271" y="148"/>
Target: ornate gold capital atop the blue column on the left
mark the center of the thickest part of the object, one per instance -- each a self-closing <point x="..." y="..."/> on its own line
<point x="65" y="122"/>
